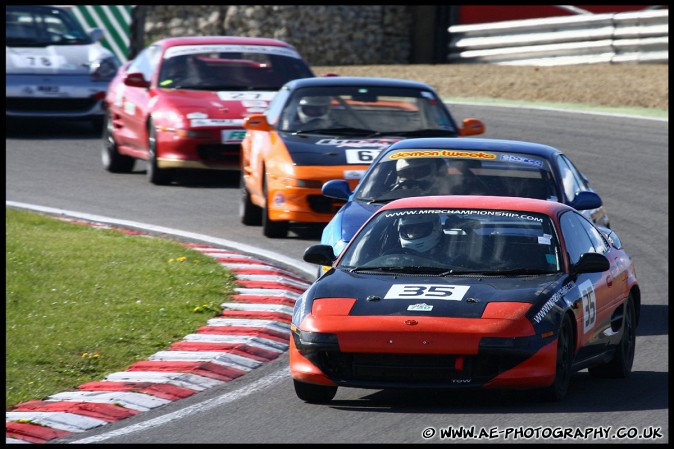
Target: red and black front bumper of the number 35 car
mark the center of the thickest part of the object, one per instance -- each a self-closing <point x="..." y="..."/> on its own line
<point x="453" y="353"/>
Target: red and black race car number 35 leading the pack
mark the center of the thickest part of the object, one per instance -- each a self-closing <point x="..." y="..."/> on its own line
<point x="467" y="292"/>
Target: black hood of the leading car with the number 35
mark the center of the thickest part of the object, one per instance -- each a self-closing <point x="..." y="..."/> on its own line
<point x="371" y="291"/>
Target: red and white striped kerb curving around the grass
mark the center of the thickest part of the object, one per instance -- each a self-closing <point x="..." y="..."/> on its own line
<point x="251" y="330"/>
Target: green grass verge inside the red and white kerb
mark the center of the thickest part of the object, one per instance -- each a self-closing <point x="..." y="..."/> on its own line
<point x="83" y="302"/>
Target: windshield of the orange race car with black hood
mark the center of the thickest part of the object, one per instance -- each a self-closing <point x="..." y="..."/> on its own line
<point x="370" y="110"/>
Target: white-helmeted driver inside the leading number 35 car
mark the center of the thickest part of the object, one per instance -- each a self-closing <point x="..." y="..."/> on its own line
<point x="420" y="233"/>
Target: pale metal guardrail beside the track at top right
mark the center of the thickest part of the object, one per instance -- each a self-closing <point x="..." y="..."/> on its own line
<point x="631" y="37"/>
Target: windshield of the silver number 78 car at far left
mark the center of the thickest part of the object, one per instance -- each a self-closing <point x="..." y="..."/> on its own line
<point x="32" y="26"/>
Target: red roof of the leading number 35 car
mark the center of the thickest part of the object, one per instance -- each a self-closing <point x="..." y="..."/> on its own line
<point x="521" y="204"/>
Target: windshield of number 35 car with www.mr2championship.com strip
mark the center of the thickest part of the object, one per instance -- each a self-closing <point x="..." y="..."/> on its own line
<point x="455" y="241"/>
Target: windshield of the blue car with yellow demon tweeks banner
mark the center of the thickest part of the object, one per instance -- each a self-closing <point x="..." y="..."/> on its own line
<point x="407" y="173"/>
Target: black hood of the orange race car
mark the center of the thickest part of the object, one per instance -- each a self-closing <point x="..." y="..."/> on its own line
<point x="326" y="149"/>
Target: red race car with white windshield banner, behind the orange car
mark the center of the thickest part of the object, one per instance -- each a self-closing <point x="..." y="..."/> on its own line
<point x="181" y="102"/>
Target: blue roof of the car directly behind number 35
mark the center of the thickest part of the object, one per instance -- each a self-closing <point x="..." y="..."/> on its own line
<point x="474" y="144"/>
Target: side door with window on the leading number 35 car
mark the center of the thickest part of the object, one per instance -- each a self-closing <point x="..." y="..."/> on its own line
<point x="595" y="294"/>
